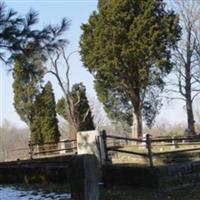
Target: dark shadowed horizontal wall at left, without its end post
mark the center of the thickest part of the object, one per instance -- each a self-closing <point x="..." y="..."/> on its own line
<point x="35" y="171"/>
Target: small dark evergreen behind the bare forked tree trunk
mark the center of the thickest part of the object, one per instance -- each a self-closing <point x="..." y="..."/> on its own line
<point x="82" y="110"/>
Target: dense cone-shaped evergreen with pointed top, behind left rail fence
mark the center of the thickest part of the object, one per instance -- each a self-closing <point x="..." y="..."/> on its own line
<point x="44" y="124"/>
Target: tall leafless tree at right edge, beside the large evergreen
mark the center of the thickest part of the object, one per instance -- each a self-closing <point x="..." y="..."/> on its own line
<point x="187" y="58"/>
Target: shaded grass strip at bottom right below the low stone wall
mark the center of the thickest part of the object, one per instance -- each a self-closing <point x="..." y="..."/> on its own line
<point x="128" y="193"/>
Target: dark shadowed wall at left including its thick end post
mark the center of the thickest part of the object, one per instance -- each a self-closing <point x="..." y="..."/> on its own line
<point x="79" y="171"/>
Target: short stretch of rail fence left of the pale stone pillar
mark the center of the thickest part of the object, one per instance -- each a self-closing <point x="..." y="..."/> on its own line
<point x="52" y="148"/>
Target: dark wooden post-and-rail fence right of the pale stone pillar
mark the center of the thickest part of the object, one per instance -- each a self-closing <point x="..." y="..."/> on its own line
<point x="149" y="142"/>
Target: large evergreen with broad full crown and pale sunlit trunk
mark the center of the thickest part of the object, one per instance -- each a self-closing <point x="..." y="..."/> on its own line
<point x="126" y="45"/>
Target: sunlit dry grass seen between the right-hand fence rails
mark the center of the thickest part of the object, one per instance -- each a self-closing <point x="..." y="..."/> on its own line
<point x="157" y="148"/>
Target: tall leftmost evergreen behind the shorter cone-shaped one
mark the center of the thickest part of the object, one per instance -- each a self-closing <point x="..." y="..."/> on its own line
<point x="27" y="73"/>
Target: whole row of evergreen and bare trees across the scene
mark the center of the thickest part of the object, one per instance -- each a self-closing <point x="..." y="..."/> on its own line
<point x="130" y="47"/>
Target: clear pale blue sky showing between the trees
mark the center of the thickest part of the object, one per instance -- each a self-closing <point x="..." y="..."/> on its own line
<point x="51" y="12"/>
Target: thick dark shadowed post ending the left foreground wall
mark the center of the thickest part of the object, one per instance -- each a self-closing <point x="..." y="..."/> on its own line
<point x="84" y="177"/>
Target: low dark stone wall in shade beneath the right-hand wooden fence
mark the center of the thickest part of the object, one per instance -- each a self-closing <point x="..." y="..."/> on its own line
<point x="163" y="177"/>
